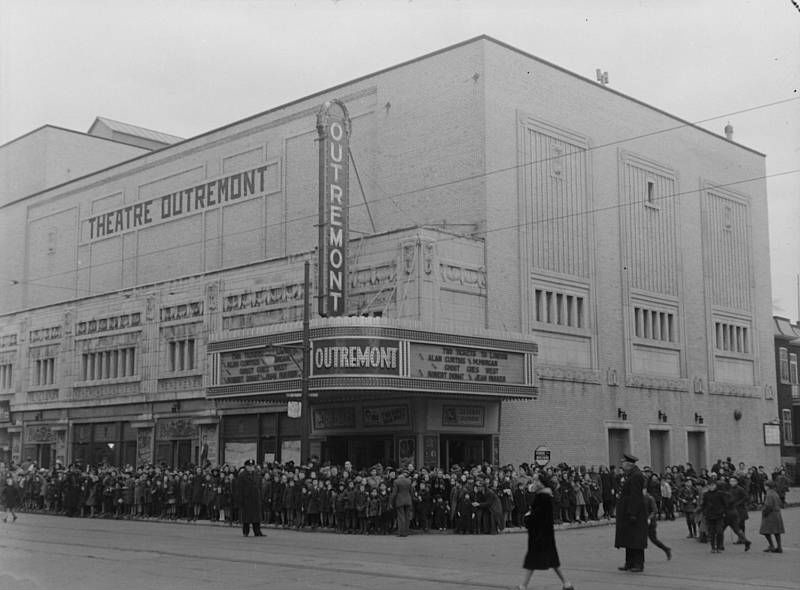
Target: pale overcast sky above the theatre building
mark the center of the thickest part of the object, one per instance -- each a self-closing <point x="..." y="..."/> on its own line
<point x="185" y="67"/>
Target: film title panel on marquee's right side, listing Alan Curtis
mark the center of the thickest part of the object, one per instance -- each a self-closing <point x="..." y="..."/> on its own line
<point x="453" y="363"/>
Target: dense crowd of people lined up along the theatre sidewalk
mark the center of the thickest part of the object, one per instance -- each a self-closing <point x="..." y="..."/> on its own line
<point x="480" y="499"/>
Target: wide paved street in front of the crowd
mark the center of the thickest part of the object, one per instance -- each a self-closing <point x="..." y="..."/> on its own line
<point x="39" y="552"/>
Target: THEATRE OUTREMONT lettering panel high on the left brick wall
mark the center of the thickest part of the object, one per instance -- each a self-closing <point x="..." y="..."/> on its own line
<point x="210" y="194"/>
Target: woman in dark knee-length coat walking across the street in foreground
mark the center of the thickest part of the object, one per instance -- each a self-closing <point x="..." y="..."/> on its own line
<point x="542" y="553"/>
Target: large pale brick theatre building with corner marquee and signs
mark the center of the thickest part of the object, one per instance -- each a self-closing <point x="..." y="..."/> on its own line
<point x="503" y="255"/>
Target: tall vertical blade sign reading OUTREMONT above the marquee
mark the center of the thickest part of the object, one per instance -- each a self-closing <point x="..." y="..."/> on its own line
<point x="333" y="127"/>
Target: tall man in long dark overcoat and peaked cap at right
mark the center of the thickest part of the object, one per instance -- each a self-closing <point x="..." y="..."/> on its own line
<point x="631" y="531"/>
